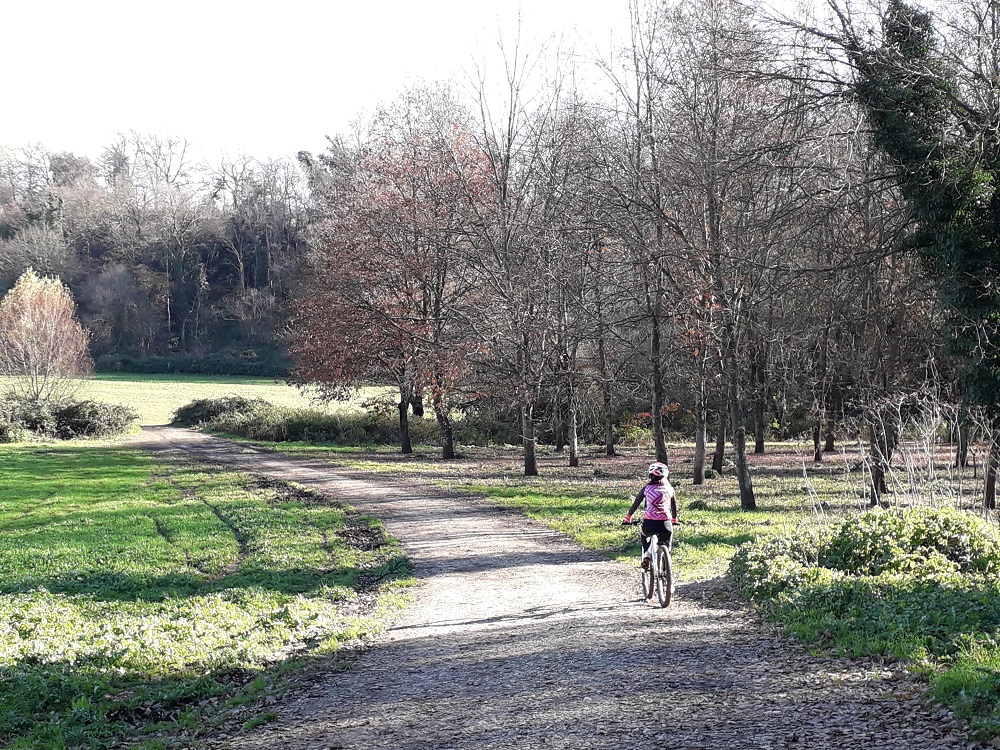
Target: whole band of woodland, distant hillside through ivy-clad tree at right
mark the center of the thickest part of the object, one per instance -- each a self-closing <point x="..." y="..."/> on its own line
<point x="741" y="228"/>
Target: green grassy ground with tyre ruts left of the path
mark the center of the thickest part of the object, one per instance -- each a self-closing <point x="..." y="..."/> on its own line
<point x="138" y="600"/>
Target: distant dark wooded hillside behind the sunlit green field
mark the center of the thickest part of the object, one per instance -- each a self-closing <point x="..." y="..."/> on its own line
<point x="171" y="260"/>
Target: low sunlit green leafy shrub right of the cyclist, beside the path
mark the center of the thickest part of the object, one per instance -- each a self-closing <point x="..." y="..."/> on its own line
<point x="917" y="584"/>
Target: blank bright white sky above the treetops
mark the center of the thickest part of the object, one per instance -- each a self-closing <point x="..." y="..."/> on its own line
<point x="263" y="78"/>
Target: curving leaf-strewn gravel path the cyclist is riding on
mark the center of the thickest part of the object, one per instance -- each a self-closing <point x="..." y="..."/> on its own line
<point x="519" y="638"/>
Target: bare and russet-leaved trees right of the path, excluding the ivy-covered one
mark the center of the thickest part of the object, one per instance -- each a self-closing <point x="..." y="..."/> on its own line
<point x="723" y="231"/>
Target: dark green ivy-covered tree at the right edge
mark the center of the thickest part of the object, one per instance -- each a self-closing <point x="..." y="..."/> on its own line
<point x="948" y="156"/>
